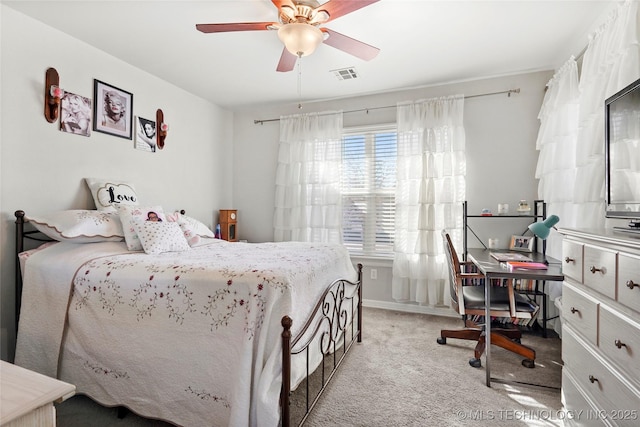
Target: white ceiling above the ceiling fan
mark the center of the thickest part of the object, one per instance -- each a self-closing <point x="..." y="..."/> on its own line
<point x="422" y="42"/>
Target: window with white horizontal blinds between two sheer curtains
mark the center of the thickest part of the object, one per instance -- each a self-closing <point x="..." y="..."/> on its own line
<point x="368" y="190"/>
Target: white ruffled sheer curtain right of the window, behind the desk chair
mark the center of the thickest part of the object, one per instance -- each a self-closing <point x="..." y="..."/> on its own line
<point x="430" y="189"/>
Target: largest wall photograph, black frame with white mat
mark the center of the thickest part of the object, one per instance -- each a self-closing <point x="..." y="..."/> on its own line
<point x="112" y="110"/>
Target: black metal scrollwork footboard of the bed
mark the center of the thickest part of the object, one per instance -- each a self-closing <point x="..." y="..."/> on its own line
<point x="332" y="328"/>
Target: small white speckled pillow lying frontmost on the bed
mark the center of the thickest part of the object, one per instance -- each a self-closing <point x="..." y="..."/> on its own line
<point x="159" y="237"/>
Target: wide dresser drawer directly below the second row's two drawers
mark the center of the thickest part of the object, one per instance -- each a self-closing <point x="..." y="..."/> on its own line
<point x="610" y="395"/>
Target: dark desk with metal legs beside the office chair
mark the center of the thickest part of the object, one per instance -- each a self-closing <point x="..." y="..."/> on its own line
<point x="493" y="270"/>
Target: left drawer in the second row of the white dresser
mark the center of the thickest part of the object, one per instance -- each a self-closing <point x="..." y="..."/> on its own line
<point x="581" y="312"/>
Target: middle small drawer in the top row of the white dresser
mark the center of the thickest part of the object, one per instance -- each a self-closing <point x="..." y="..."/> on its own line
<point x="600" y="270"/>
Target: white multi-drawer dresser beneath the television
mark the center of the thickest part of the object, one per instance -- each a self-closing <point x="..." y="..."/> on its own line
<point x="601" y="328"/>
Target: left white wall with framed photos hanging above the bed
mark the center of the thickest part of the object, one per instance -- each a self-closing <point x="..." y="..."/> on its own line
<point x="42" y="169"/>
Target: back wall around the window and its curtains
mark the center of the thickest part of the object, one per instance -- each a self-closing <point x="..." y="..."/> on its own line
<point x="501" y="133"/>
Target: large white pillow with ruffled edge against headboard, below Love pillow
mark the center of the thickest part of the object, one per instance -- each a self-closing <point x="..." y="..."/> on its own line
<point x="80" y="226"/>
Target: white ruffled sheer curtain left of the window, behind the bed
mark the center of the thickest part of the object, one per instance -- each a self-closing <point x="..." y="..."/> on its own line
<point x="308" y="204"/>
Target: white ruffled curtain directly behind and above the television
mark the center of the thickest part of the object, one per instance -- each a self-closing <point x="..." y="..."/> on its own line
<point x="611" y="61"/>
